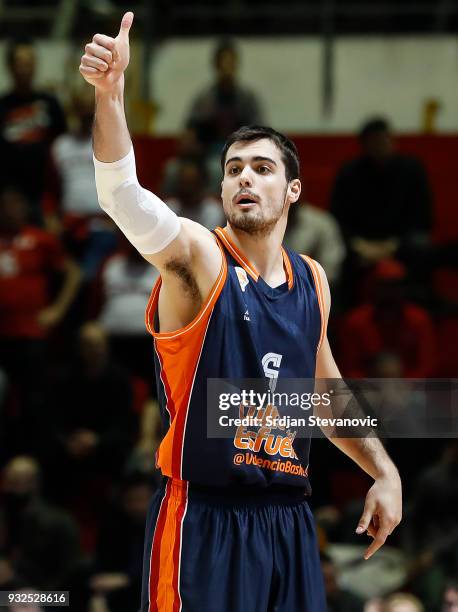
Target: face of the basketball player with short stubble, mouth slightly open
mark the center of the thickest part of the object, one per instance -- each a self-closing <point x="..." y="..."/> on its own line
<point x="255" y="192"/>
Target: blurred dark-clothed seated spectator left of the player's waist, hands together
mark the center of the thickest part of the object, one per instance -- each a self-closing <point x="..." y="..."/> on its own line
<point x="94" y="426"/>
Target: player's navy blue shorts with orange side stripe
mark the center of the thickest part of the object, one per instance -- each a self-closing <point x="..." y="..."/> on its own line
<point x="207" y="551"/>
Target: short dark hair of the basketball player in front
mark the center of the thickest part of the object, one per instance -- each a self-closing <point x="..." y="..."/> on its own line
<point x="251" y="133"/>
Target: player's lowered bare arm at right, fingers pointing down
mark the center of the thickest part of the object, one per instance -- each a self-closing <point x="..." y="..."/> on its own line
<point x="383" y="506"/>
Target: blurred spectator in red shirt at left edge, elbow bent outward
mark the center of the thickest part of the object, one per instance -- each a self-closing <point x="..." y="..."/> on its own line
<point x="30" y="258"/>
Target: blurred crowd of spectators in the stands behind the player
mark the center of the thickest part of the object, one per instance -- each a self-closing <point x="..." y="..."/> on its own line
<point x="79" y="422"/>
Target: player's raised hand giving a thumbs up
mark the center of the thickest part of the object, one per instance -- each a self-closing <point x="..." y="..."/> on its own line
<point x="106" y="58"/>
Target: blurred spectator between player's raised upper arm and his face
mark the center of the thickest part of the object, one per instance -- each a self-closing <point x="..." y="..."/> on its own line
<point x="190" y="198"/>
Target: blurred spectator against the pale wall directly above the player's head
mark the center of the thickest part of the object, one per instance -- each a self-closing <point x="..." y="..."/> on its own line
<point x="224" y="106"/>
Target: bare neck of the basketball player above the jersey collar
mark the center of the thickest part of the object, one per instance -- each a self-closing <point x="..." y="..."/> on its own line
<point x="264" y="252"/>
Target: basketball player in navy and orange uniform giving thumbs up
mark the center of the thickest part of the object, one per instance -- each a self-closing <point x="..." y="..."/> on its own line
<point x="226" y="532"/>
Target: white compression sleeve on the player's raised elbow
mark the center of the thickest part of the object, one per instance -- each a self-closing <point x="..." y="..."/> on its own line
<point x="144" y="219"/>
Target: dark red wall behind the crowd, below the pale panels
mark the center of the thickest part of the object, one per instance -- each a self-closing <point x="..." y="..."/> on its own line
<point x="322" y="155"/>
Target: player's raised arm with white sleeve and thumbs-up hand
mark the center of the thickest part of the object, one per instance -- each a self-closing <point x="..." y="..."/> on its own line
<point x="185" y="253"/>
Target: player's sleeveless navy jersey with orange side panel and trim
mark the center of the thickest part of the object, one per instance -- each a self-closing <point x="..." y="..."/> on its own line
<point x="245" y="329"/>
